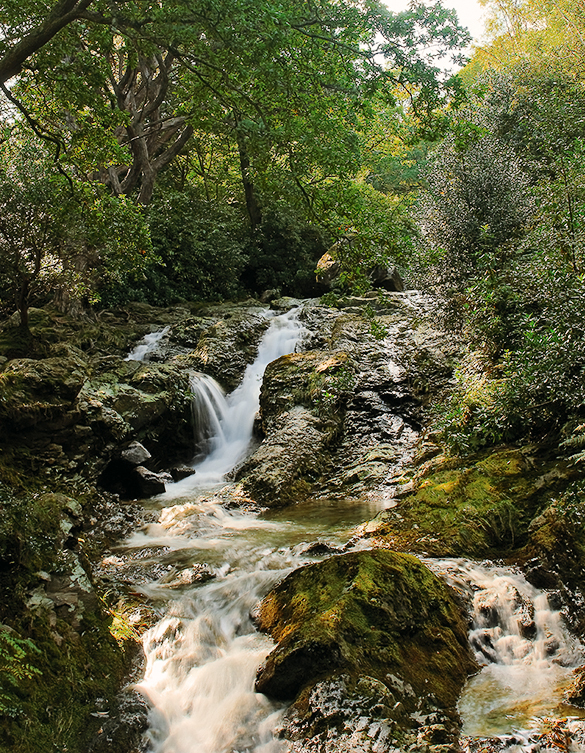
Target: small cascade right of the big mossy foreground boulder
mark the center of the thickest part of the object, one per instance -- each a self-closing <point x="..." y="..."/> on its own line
<point x="520" y="640"/>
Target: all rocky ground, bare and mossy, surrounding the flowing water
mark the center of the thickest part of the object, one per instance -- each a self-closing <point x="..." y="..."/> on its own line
<point x="371" y="651"/>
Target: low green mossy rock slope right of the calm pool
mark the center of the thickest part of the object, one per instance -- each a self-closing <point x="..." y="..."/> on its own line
<point x="475" y="507"/>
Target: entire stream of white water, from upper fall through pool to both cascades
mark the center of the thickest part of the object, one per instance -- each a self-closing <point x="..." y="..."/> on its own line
<point x="219" y="560"/>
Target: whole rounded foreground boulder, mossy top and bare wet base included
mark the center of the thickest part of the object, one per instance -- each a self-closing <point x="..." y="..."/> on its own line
<point x="370" y="646"/>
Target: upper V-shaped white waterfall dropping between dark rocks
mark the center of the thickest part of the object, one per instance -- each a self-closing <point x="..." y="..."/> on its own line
<point x="227" y="424"/>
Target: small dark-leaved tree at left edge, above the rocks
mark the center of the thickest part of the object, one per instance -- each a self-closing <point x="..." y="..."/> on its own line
<point x="55" y="232"/>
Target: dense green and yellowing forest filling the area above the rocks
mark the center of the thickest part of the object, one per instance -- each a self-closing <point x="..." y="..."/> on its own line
<point x="209" y="151"/>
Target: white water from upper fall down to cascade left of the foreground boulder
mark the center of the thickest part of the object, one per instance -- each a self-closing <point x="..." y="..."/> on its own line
<point x="203" y="656"/>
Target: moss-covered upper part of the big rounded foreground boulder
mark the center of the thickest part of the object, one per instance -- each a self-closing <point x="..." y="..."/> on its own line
<point x="376" y="613"/>
